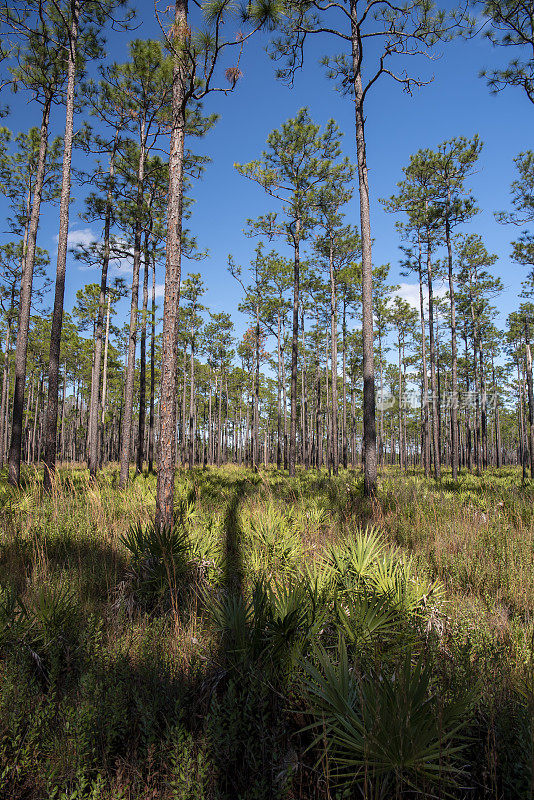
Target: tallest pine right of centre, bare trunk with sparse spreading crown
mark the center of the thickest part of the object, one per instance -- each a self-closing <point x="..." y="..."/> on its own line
<point x="396" y="31"/>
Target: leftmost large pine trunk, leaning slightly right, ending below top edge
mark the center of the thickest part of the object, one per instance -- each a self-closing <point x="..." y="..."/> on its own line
<point x="26" y="283"/>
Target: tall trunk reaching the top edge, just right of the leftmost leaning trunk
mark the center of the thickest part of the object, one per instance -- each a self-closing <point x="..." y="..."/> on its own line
<point x="50" y="432"/>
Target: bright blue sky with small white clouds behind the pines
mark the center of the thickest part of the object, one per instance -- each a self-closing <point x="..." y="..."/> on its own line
<point x="457" y="102"/>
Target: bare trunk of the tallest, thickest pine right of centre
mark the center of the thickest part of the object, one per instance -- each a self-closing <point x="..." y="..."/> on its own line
<point x="369" y="421"/>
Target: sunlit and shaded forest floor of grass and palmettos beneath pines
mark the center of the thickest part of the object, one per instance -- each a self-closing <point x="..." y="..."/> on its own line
<point x="289" y="639"/>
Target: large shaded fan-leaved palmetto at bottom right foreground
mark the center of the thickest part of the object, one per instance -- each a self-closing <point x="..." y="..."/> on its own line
<point x="385" y="730"/>
